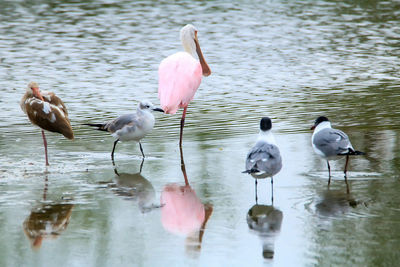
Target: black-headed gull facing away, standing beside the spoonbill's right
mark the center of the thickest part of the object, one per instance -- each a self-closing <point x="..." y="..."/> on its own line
<point x="264" y="159"/>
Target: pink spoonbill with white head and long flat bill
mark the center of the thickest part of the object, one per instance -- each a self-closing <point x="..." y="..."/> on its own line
<point x="179" y="75"/>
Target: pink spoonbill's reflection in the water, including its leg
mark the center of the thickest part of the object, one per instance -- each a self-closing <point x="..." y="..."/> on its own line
<point x="183" y="213"/>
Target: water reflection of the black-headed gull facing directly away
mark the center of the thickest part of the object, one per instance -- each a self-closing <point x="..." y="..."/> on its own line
<point x="266" y="221"/>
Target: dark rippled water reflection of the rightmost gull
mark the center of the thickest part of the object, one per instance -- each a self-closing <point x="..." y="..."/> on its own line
<point x="335" y="202"/>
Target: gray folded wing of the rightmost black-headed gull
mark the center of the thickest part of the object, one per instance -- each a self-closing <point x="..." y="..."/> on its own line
<point x="332" y="142"/>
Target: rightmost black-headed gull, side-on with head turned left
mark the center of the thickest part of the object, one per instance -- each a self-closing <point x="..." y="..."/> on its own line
<point x="331" y="144"/>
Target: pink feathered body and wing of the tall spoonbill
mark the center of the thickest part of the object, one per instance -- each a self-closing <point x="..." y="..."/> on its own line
<point x="179" y="76"/>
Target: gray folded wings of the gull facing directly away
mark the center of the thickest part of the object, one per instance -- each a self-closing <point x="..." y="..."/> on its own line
<point x="264" y="157"/>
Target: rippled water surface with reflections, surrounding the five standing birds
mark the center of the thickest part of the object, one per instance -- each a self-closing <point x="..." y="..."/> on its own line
<point x="290" y="60"/>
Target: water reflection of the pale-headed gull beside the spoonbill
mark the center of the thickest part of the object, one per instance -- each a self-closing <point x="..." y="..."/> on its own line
<point x="135" y="187"/>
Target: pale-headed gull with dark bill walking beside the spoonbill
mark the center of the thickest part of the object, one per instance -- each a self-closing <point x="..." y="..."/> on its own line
<point x="129" y="127"/>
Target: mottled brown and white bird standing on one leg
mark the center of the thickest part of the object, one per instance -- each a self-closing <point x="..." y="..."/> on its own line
<point x="47" y="111"/>
